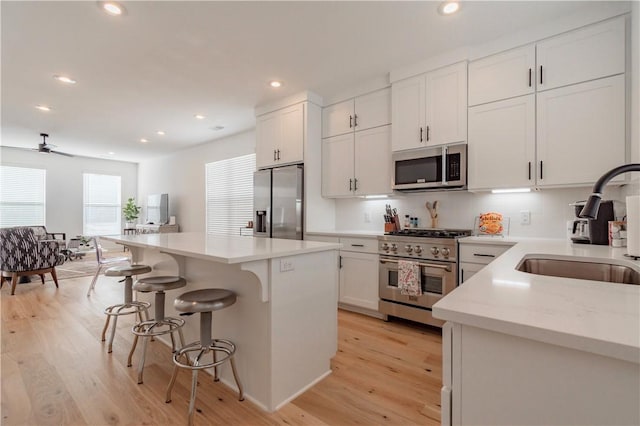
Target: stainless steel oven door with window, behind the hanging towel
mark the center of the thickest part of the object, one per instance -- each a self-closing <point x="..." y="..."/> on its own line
<point x="437" y="280"/>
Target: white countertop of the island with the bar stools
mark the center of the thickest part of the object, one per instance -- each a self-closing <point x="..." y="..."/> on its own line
<point x="223" y="249"/>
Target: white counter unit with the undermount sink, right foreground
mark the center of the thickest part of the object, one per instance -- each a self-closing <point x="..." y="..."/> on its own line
<point x="521" y="348"/>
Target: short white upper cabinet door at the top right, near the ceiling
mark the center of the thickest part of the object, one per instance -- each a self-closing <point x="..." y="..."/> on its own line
<point x="592" y="52"/>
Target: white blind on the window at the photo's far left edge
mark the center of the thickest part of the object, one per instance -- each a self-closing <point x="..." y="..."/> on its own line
<point x="22" y="196"/>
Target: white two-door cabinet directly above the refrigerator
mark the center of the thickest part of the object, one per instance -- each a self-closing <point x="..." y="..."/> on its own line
<point x="280" y="137"/>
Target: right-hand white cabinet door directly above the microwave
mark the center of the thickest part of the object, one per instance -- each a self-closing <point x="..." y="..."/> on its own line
<point x="446" y="105"/>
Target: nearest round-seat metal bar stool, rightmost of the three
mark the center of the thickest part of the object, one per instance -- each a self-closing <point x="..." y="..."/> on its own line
<point x="205" y="302"/>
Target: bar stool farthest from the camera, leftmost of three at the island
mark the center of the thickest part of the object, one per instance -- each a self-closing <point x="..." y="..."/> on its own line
<point x="129" y="306"/>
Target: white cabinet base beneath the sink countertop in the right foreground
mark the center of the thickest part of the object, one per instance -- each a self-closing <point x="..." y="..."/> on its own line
<point x="493" y="378"/>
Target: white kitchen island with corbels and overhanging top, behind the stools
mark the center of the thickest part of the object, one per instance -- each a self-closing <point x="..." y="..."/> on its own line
<point x="284" y="322"/>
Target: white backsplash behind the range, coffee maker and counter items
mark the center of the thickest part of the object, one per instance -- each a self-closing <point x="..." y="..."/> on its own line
<point x="549" y="210"/>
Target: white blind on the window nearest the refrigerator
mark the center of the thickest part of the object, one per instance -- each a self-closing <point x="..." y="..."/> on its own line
<point x="230" y="194"/>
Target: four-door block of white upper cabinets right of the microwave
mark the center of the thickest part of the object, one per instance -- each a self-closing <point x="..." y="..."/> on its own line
<point x="575" y="133"/>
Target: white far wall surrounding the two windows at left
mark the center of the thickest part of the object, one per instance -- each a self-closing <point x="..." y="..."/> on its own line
<point x="64" y="183"/>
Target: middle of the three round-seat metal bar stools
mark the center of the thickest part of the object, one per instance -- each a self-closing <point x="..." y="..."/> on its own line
<point x="160" y="324"/>
